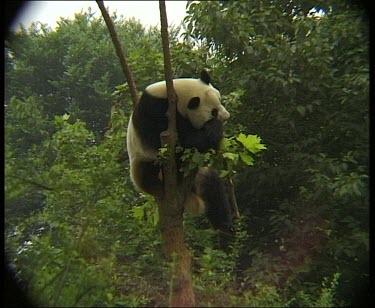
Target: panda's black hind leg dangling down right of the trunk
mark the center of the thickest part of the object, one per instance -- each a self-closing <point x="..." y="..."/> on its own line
<point x="210" y="187"/>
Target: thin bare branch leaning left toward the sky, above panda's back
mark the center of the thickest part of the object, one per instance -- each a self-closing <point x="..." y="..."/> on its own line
<point x="120" y="53"/>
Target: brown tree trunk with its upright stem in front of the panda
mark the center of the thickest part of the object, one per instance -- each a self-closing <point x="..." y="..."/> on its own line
<point x="170" y="206"/>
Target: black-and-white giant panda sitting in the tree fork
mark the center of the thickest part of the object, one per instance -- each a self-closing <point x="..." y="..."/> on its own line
<point x="199" y="122"/>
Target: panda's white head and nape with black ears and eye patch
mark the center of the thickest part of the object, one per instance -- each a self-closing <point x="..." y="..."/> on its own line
<point x="198" y="100"/>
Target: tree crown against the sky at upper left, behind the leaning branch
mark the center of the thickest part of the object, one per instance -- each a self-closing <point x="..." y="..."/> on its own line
<point x="74" y="68"/>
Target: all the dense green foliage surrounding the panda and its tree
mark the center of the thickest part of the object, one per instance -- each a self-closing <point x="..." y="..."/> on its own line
<point x="78" y="234"/>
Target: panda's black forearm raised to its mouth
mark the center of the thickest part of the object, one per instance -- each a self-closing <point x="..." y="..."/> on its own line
<point x="208" y="137"/>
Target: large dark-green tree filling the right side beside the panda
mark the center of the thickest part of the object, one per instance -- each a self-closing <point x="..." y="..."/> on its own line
<point x="306" y="93"/>
